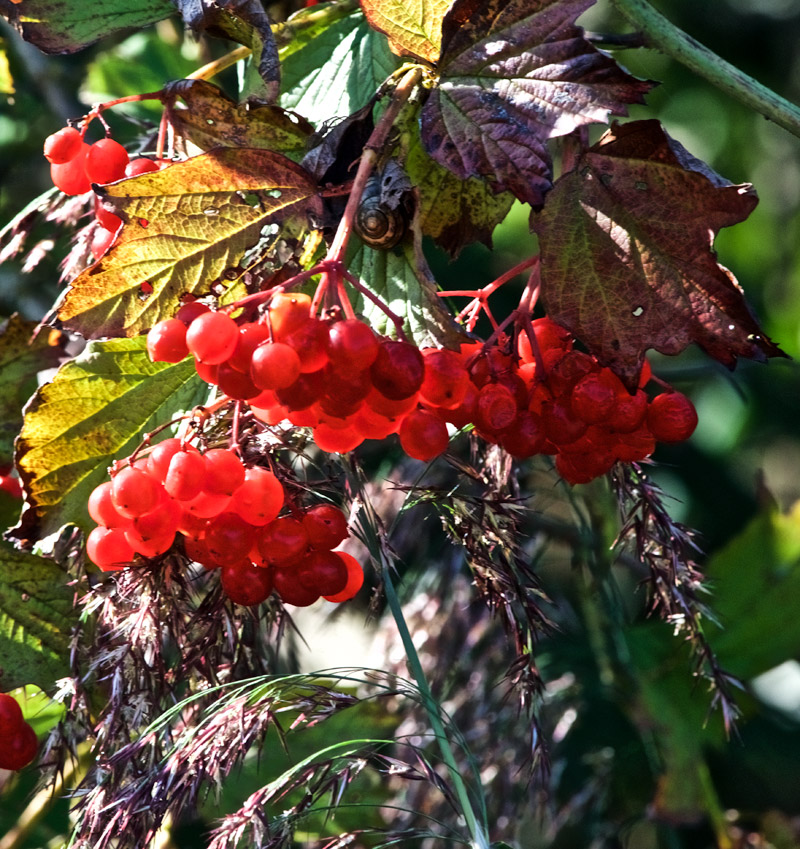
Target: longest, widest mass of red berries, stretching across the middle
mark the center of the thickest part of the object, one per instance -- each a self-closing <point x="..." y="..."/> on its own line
<point x="348" y="385"/>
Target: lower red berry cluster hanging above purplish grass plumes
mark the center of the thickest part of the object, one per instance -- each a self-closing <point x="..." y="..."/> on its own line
<point x="228" y="517"/>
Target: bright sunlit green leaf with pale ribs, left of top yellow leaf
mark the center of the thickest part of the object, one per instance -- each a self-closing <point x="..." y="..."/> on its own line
<point x="338" y="71"/>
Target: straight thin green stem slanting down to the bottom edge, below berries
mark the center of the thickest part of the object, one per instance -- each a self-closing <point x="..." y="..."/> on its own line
<point x="477" y="831"/>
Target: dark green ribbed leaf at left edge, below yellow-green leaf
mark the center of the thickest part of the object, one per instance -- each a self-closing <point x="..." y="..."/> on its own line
<point x="36" y="617"/>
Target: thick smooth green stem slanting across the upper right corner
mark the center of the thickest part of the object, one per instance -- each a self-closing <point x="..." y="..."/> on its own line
<point x="666" y="37"/>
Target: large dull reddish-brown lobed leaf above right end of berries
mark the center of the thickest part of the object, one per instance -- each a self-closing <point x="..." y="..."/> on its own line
<point x="627" y="259"/>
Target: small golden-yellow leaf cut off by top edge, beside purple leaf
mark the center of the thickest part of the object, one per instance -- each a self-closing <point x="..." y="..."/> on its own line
<point x="413" y="29"/>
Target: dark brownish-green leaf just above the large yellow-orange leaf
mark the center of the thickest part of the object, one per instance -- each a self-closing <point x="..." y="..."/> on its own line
<point x="211" y="118"/>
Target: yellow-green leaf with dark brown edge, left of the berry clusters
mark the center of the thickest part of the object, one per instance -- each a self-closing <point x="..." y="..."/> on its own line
<point x="96" y="409"/>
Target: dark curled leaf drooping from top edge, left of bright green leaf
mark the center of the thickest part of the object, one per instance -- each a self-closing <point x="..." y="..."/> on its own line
<point x="247" y="23"/>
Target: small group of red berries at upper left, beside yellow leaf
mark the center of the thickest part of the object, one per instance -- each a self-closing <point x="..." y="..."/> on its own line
<point x="75" y="165"/>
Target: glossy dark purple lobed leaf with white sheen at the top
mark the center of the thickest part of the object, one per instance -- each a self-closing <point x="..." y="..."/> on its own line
<point x="513" y="75"/>
